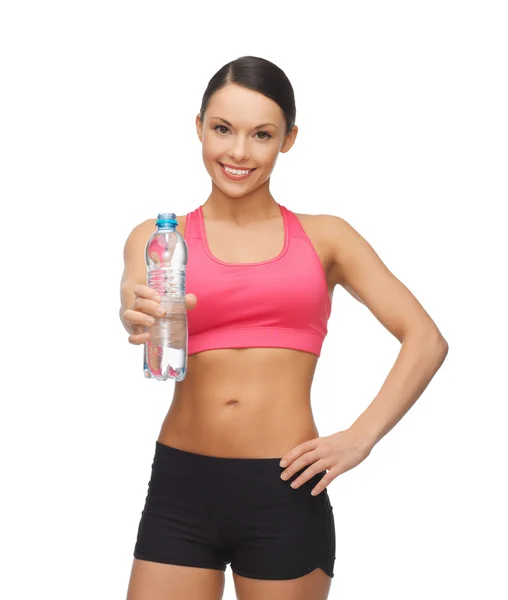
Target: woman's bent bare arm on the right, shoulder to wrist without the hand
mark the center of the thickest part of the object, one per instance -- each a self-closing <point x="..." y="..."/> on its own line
<point x="358" y="268"/>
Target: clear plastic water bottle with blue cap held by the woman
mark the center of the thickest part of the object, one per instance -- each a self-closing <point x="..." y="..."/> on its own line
<point x="165" y="352"/>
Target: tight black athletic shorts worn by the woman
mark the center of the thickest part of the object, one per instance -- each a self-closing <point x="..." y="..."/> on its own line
<point x="209" y="511"/>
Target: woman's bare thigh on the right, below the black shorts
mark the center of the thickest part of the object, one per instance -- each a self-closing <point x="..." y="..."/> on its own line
<point x="313" y="586"/>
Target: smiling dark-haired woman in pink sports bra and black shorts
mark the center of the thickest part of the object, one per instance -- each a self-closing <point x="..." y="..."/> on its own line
<point x="261" y="280"/>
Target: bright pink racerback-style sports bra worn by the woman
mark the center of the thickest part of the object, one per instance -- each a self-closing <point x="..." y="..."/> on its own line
<point x="278" y="303"/>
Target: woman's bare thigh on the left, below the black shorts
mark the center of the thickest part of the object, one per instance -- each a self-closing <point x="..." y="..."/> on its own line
<point x="158" y="581"/>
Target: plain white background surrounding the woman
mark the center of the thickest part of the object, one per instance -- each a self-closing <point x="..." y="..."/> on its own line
<point x="402" y="110"/>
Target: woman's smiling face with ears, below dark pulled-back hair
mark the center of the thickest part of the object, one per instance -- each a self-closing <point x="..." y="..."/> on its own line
<point x="242" y="133"/>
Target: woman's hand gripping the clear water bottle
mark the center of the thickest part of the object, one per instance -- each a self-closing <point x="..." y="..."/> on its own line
<point x="143" y="312"/>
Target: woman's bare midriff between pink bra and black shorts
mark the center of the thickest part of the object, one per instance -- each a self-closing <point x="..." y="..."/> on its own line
<point x="242" y="403"/>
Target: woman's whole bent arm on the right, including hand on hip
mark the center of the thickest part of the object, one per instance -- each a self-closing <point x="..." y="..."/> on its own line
<point x="358" y="268"/>
